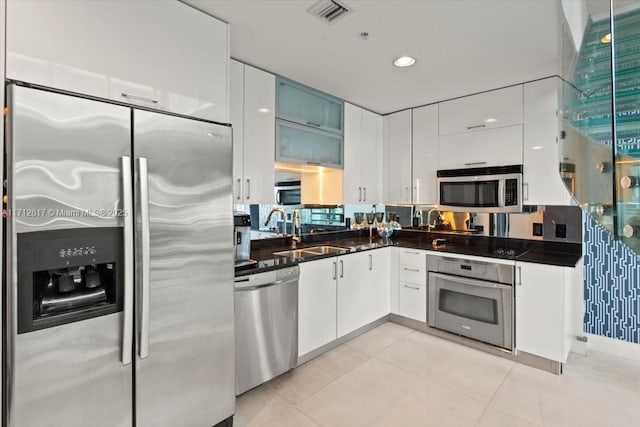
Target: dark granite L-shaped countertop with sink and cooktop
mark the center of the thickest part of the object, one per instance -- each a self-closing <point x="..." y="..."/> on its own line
<point x="534" y="251"/>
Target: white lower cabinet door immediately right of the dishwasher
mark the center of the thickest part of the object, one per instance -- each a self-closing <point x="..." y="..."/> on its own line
<point x="316" y="304"/>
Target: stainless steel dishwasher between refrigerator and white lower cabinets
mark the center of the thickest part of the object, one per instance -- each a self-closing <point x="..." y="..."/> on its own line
<point x="266" y="314"/>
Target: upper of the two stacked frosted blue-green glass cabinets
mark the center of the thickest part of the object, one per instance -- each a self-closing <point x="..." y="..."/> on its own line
<point x="308" y="107"/>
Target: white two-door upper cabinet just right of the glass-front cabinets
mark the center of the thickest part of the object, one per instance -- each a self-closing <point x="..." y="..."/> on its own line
<point x="362" y="155"/>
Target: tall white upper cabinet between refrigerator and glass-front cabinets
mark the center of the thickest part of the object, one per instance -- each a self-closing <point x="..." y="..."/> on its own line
<point x="252" y="108"/>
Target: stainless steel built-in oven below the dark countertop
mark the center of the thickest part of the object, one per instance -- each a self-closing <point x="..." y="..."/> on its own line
<point x="471" y="298"/>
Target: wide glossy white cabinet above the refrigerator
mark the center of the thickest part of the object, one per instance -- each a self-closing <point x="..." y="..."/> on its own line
<point x="161" y="54"/>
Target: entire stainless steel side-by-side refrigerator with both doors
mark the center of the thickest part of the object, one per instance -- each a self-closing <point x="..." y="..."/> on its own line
<point x="119" y="265"/>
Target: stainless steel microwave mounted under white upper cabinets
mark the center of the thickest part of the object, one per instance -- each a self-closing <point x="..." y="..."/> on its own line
<point x="487" y="189"/>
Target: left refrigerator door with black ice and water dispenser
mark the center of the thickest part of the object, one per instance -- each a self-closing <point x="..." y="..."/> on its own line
<point x="64" y="165"/>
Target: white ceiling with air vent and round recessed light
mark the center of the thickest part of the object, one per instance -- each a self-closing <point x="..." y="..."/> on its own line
<point x="462" y="46"/>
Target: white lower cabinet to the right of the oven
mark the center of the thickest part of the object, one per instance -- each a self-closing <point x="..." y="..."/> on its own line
<point x="543" y="310"/>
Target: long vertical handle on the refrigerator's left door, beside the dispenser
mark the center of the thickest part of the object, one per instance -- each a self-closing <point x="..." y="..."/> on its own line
<point x="127" y="199"/>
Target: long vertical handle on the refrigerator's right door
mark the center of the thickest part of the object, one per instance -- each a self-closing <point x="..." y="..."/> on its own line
<point x="145" y="257"/>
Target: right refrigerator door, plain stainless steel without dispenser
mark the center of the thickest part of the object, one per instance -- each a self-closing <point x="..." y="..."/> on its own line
<point x="184" y="345"/>
